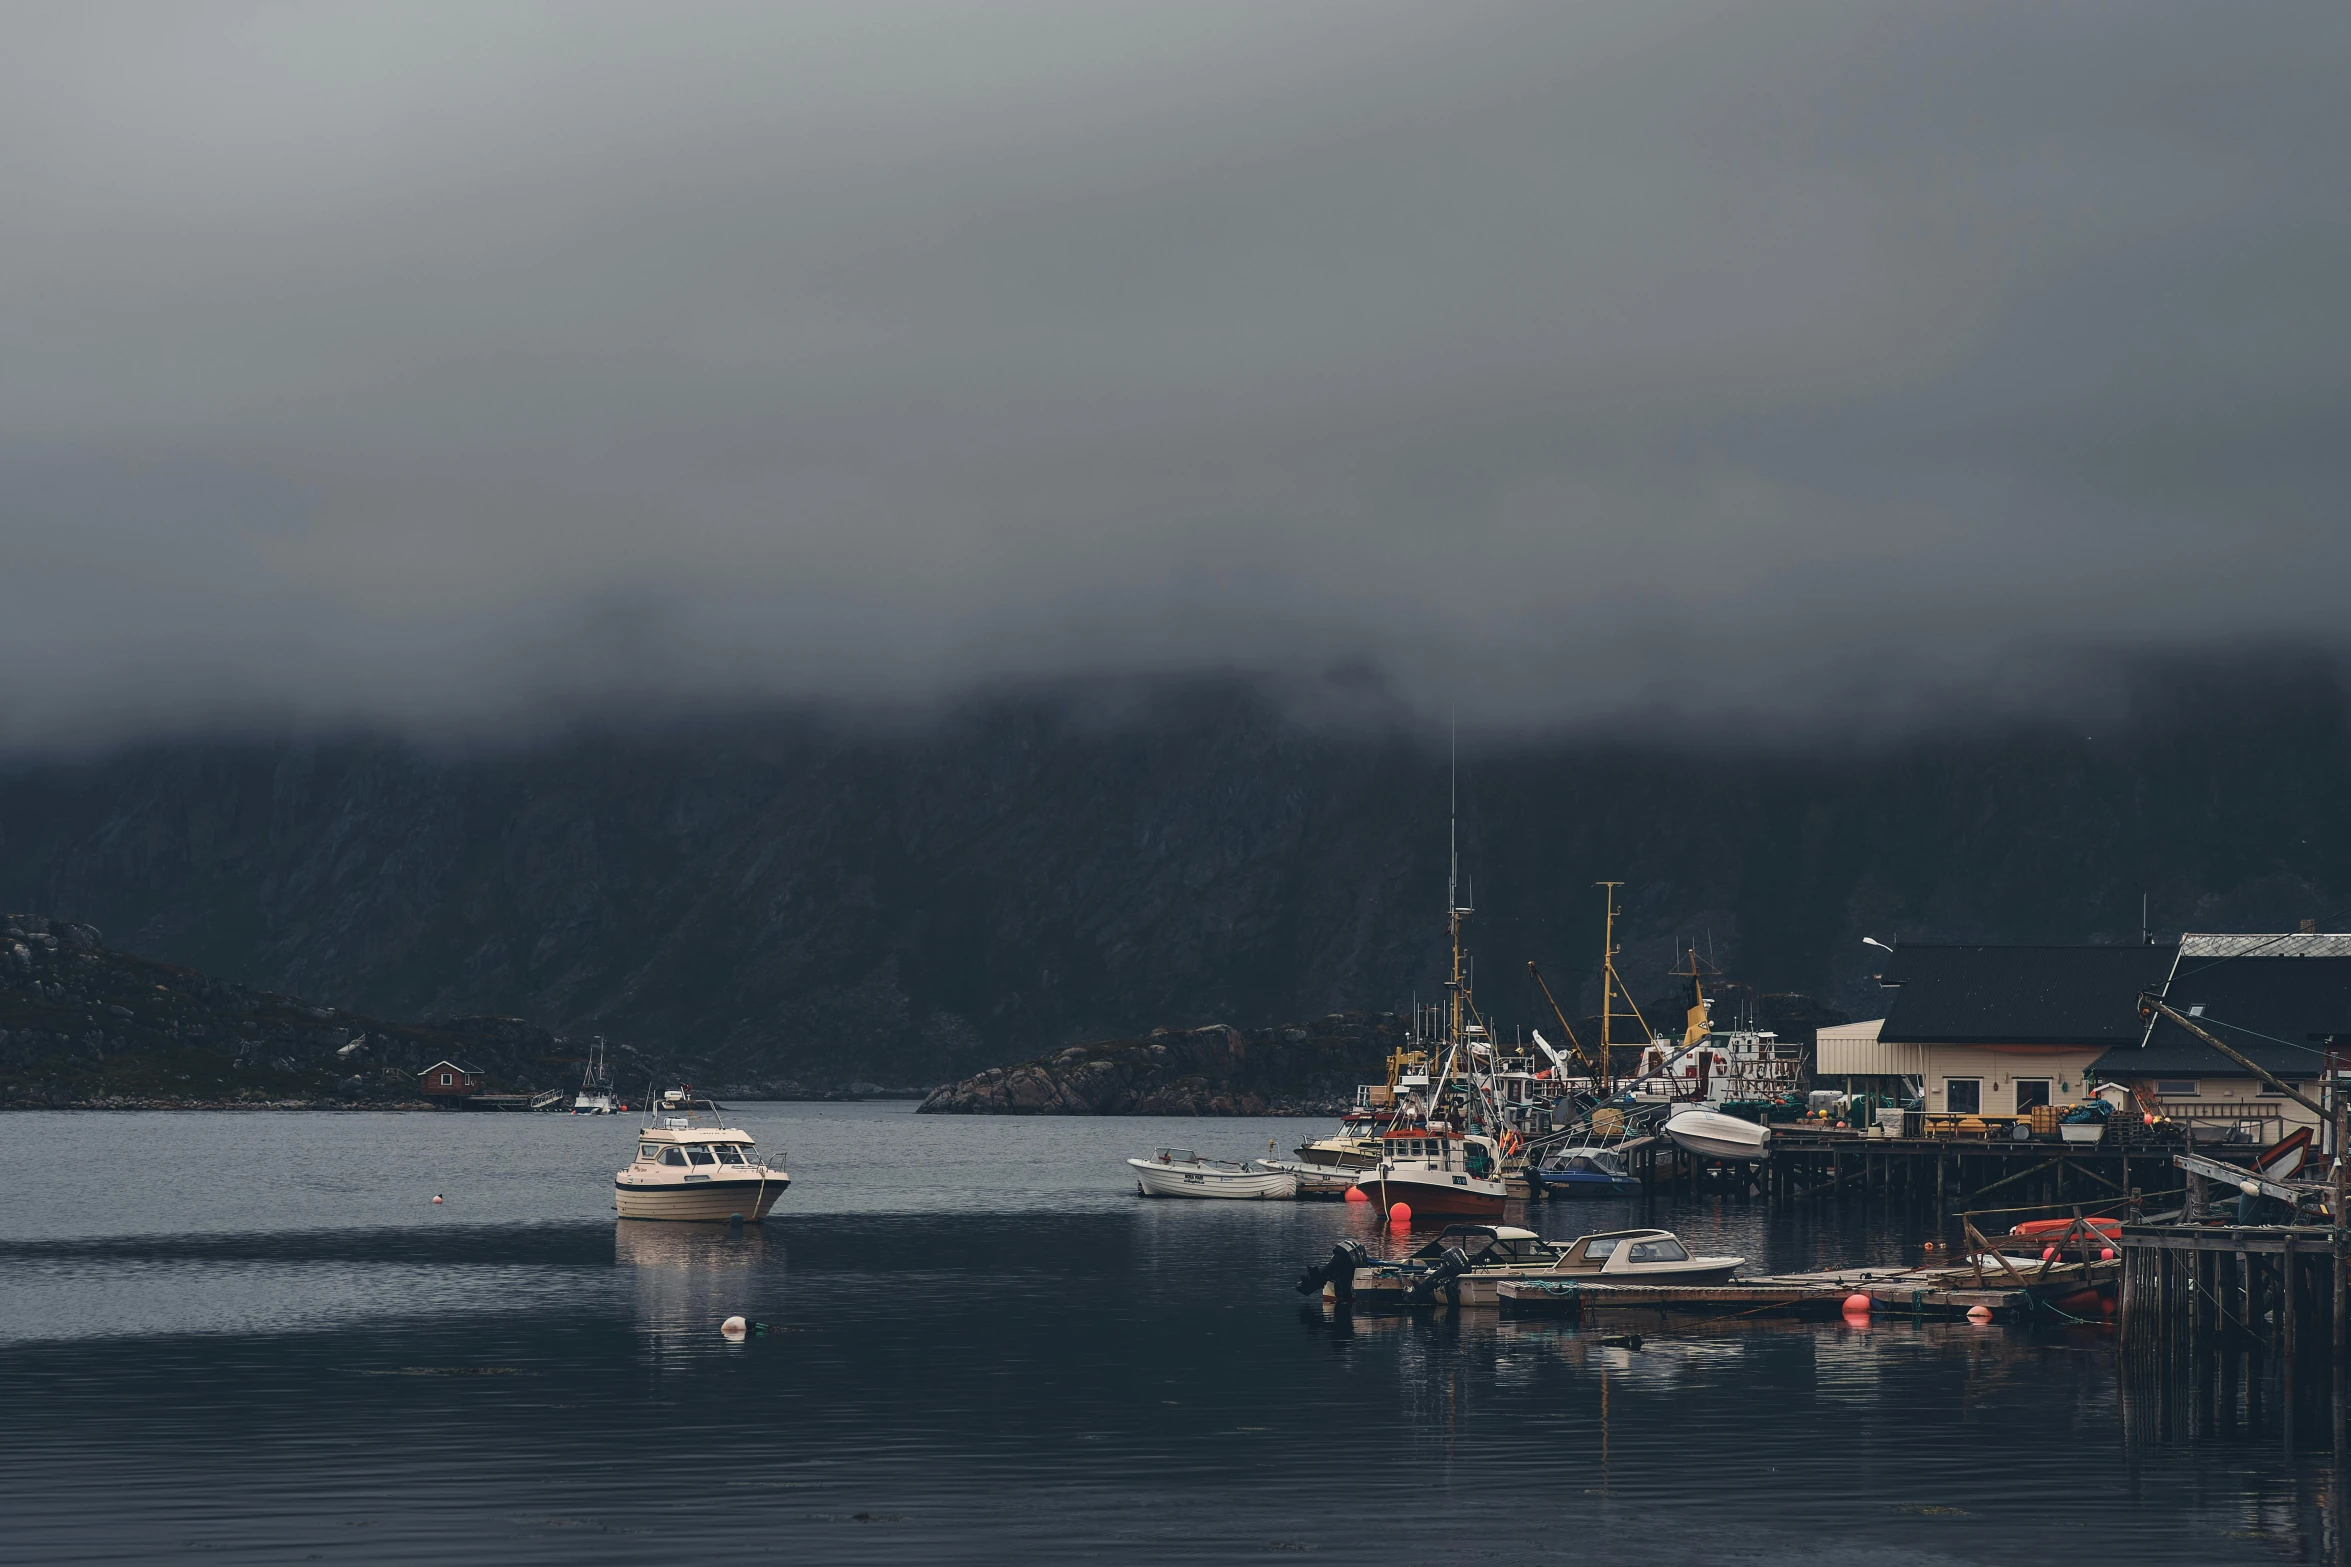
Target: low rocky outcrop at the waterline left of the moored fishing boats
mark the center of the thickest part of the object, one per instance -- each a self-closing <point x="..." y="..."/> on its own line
<point x="1301" y="1070"/>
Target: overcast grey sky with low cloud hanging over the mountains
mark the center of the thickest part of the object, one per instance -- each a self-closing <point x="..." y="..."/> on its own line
<point x="476" y="363"/>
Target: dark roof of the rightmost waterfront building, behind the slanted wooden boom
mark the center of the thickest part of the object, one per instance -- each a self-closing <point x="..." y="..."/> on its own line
<point x="2258" y="1004"/>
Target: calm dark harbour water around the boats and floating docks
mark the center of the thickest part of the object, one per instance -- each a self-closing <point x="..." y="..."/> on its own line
<point x="257" y="1338"/>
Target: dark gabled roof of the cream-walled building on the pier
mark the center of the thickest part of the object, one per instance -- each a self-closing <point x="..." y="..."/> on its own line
<point x="2021" y="995"/>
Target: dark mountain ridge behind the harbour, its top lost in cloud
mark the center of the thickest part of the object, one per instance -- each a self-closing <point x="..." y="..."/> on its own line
<point x="803" y="899"/>
